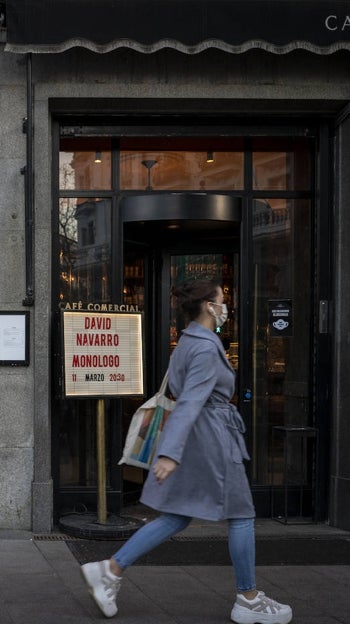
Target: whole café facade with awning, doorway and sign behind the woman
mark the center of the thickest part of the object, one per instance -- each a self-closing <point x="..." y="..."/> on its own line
<point x="207" y="138"/>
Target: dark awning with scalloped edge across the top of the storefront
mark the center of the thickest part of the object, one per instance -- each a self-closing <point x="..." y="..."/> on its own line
<point x="190" y="26"/>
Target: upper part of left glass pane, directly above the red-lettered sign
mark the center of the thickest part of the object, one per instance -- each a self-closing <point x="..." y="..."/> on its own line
<point x="85" y="249"/>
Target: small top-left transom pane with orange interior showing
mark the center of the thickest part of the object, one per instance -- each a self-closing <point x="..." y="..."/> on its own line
<point x="85" y="164"/>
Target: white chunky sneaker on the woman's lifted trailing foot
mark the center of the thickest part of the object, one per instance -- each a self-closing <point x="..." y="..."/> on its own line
<point x="103" y="585"/>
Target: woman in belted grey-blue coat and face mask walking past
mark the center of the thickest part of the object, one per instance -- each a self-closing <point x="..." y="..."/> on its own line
<point x="198" y="470"/>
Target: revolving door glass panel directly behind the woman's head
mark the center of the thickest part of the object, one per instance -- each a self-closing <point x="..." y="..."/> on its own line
<point x="223" y="268"/>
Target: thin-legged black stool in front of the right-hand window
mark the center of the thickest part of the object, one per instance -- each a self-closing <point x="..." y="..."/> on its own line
<point x="293" y="479"/>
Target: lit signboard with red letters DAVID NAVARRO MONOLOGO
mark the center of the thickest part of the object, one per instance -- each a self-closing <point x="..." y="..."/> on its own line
<point x="98" y="385"/>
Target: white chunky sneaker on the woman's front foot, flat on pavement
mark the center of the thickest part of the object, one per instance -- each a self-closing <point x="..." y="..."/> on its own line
<point x="260" y="610"/>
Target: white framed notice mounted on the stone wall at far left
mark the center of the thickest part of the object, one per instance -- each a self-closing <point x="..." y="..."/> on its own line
<point x="14" y="331"/>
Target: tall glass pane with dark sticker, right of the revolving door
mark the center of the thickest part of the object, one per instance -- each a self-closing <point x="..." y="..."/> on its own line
<point x="281" y="324"/>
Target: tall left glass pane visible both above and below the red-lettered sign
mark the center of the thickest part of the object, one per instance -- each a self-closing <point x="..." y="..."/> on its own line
<point x="85" y="265"/>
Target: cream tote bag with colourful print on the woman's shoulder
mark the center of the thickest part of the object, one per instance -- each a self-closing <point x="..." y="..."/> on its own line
<point x="145" y="428"/>
